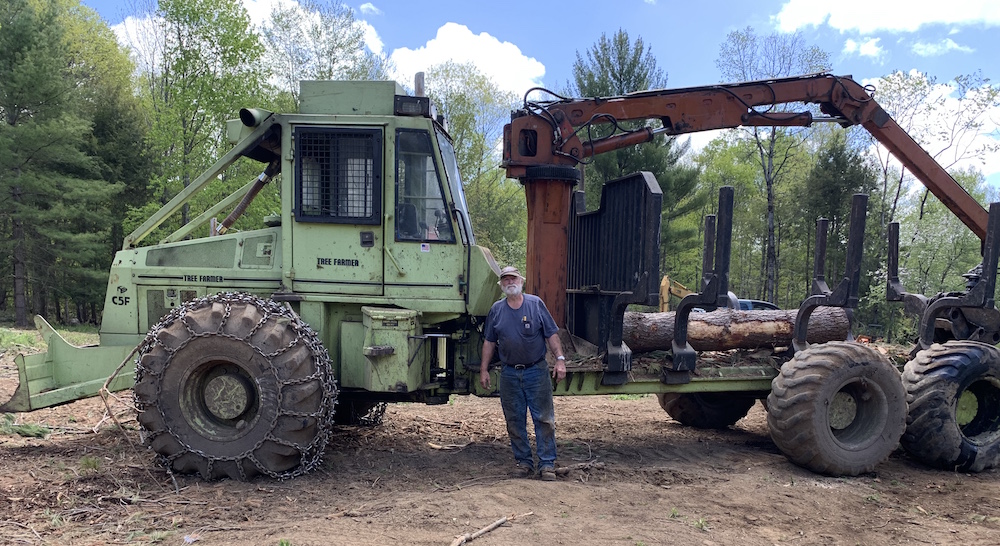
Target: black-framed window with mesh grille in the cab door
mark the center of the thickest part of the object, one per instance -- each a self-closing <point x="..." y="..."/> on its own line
<point x="339" y="175"/>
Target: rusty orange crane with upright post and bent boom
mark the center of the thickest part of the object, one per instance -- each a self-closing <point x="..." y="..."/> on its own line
<point x="546" y="141"/>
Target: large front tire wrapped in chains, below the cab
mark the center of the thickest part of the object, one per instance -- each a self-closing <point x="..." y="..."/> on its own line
<point x="235" y="386"/>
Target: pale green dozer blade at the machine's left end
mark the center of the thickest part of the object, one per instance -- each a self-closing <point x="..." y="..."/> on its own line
<point x="65" y="372"/>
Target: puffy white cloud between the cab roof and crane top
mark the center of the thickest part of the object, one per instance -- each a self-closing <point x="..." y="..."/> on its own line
<point x="503" y="62"/>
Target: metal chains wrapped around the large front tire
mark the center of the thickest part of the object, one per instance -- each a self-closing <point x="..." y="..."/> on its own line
<point x="311" y="454"/>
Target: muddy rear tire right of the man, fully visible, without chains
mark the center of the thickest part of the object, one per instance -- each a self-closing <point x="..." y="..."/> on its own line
<point x="838" y="409"/>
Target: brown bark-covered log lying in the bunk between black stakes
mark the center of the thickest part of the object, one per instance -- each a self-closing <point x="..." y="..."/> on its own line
<point x="726" y="329"/>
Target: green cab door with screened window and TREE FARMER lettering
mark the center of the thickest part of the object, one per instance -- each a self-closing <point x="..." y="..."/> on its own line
<point x="338" y="238"/>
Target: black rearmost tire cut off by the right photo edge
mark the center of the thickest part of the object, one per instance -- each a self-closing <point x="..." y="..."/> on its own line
<point x="953" y="391"/>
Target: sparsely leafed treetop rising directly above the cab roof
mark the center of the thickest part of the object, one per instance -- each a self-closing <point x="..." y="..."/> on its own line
<point x="318" y="40"/>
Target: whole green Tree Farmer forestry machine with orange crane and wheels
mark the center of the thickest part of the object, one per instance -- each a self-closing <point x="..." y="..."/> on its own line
<point x="369" y="288"/>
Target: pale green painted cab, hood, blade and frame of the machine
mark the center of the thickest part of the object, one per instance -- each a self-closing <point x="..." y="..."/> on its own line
<point x="385" y="269"/>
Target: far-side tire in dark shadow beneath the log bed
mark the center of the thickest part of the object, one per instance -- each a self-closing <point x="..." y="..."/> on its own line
<point x="706" y="410"/>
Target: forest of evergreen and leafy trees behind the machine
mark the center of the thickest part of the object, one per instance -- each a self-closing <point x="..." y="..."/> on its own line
<point x="97" y="134"/>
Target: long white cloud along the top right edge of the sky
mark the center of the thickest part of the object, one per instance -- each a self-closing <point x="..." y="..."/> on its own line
<point x="890" y="15"/>
